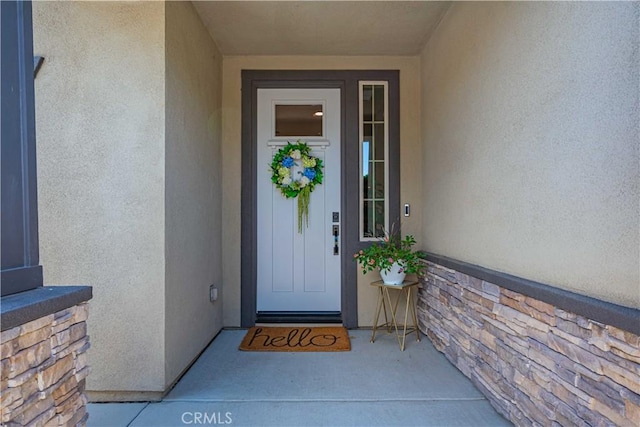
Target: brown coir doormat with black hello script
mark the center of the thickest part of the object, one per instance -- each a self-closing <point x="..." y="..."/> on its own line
<point x="266" y="338"/>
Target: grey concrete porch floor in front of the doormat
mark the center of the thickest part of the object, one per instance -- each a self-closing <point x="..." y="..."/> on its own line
<point x="371" y="385"/>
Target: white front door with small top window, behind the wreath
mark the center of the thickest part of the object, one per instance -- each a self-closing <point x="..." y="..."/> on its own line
<point x="298" y="272"/>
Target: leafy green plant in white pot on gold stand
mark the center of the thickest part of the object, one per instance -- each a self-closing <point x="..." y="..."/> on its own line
<point x="394" y="257"/>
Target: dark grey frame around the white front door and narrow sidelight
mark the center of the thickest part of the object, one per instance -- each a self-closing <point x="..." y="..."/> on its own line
<point x="347" y="82"/>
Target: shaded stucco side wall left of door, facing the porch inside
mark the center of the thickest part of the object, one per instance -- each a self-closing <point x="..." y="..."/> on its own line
<point x="193" y="187"/>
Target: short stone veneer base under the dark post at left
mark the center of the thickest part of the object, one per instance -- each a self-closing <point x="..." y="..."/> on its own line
<point x="44" y="366"/>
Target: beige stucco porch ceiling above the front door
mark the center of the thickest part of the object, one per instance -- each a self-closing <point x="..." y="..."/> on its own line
<point x="320" y="27"/>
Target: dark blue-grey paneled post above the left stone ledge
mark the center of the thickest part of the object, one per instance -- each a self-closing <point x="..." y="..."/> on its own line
<point x="21" y="269"/>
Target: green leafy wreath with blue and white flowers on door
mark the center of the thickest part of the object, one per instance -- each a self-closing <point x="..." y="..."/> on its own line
<point x="295" y="172"/>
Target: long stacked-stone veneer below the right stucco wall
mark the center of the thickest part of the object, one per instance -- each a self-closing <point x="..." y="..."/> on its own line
<point x="537" y="364"/>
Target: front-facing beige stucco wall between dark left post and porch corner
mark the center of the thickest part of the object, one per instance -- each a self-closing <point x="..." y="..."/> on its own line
<point x="100" y="131"/>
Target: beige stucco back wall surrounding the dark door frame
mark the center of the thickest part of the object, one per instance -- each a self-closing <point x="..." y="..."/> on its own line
<point x="411" y="187"/>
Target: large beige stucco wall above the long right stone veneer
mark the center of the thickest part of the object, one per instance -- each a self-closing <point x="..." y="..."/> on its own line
<point x="530" y="125"/>
